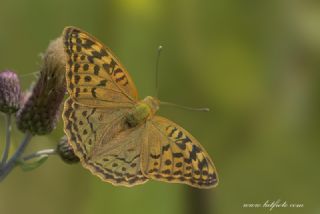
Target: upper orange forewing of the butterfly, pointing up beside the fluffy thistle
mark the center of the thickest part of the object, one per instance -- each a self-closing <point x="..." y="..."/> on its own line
<point x="94" y="75"/>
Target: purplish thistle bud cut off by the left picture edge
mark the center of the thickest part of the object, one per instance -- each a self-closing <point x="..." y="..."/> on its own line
<point x="10" y="92"/>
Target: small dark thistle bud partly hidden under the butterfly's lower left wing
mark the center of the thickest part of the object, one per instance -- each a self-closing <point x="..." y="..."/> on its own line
<point x="66" y="152"/>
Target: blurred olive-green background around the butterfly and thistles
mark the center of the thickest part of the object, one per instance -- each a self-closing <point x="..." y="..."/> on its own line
<point x="254" y="63"/>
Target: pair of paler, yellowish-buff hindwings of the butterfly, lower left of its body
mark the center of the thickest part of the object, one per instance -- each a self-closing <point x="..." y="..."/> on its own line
<point x="103" y="142"/>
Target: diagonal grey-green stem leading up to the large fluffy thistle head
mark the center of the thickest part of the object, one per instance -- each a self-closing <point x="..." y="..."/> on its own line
<point x="6" y="169"/>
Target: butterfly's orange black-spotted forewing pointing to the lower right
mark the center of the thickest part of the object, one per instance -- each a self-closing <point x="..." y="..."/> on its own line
<point x="172" y="154"/>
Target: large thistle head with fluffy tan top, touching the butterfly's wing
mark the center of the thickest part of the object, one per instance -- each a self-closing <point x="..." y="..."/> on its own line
<point x="39" y="113"/>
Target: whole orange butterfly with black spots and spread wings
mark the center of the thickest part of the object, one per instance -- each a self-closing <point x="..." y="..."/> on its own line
<point x="117" y="136"/>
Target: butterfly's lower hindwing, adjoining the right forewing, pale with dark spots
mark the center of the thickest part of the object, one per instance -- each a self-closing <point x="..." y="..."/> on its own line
<point x="118" y="158"/>
